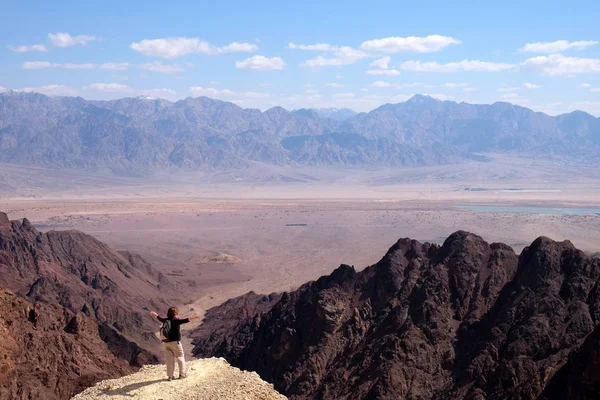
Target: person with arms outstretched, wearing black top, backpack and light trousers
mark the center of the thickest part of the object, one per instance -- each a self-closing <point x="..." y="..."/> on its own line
<point x="171" y="336"/>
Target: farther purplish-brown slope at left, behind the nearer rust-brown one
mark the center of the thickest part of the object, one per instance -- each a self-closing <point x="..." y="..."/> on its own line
<point x="84" y="275"/>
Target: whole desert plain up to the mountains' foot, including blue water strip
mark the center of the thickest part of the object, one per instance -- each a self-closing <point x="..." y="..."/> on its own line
<point x="224" y="234"/>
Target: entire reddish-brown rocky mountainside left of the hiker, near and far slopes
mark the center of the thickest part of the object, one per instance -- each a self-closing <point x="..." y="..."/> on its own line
<point x="97" y="298"/>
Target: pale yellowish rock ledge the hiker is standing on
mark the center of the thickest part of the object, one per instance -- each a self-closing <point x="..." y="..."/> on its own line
<point x="212" y="379"/>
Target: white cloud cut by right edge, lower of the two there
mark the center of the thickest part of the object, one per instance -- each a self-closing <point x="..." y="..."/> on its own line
<point x="557" y="64"/>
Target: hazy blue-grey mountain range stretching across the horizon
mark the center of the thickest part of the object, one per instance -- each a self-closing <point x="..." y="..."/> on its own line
<point x="203" y="133"/>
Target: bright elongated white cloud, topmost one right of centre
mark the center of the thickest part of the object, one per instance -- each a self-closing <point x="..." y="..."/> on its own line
<point x="412" y="44"/>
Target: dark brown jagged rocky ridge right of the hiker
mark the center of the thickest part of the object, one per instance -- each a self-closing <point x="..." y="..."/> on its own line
<point x="465" y="320"/>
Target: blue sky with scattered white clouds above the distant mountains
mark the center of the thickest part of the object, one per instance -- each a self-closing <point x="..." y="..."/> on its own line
<point x="543" y="55"/>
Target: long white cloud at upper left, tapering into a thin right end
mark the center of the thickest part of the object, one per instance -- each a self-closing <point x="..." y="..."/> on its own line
<point x="172" y="47"/>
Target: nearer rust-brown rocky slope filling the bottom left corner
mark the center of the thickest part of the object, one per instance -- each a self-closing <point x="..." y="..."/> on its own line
<point x="49" y="352"/>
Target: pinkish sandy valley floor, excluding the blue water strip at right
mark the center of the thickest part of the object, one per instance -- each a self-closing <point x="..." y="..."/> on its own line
<point x="224" y="247"/>
